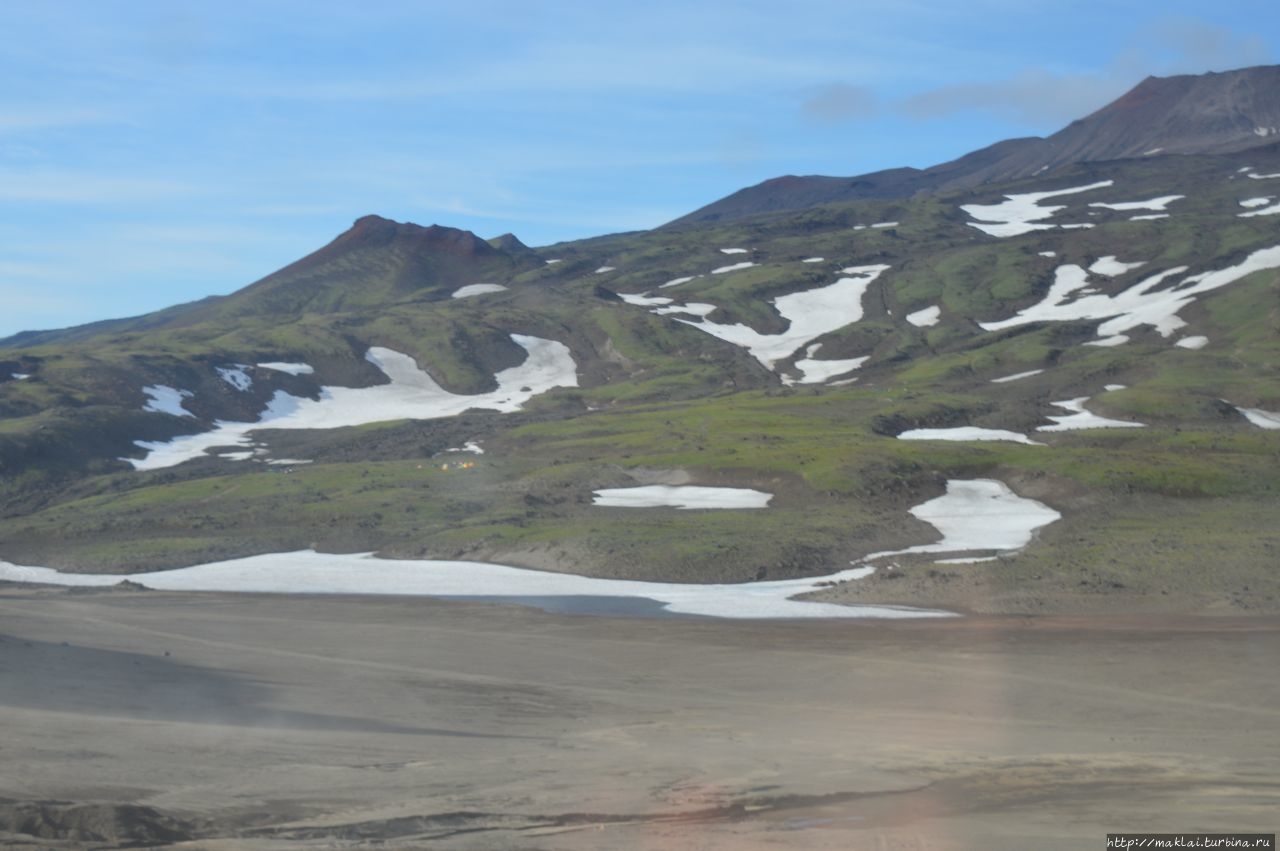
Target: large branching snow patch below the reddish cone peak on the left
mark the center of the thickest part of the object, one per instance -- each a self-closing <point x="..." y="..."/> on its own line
<point x="412" y="395"/>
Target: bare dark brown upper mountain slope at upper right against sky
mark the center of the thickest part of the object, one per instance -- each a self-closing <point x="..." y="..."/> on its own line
<point x="1213" y="113"/>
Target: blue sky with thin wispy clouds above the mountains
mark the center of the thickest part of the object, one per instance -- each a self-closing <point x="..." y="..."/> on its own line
<point x="154" y="153"/>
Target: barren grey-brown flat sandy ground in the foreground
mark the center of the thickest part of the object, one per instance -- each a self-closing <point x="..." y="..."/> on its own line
<point x="217" y="721"/>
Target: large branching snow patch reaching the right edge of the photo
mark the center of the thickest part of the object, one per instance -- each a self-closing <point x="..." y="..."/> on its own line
<point x="1149" y="303"/>
